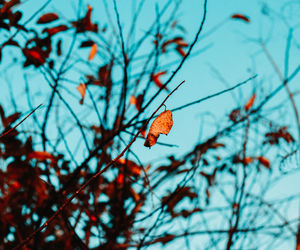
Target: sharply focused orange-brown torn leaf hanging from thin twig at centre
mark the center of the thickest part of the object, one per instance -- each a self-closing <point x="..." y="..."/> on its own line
<point x="161" y="125"/>
